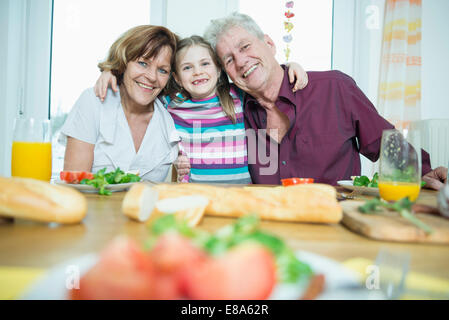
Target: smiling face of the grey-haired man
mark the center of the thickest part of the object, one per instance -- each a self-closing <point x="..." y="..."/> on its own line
<point x="249" y="61"/>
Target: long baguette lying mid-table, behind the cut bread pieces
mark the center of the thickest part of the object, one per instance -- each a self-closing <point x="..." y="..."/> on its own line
<point x="314" y="203"/>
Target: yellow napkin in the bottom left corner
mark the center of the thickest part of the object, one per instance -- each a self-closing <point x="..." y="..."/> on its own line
<point x="15" y="280"/>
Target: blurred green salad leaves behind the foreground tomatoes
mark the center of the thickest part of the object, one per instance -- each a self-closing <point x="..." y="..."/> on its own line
<point x="247" y="228"/>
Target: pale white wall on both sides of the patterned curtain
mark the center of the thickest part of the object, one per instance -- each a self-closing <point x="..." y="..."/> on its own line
<point x="357" y="50"/>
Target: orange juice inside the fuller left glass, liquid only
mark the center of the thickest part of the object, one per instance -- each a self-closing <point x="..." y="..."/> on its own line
<point x="31" y="160"/>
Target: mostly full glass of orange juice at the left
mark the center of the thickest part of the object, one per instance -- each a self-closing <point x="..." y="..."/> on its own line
<point x="31" y="149"/>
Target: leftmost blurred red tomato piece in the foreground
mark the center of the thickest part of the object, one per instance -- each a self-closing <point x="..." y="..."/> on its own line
<point x="124" y="271"/>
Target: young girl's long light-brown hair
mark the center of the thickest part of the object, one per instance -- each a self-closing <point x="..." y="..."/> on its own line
<point x="223" y="87"/>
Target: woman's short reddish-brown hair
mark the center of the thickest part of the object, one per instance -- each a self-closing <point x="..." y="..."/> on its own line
<point x="142" y="41"/>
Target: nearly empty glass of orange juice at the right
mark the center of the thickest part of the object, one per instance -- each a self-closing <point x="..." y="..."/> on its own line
<point x="400" y="165"/>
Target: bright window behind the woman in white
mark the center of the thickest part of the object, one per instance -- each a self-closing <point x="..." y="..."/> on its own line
<point x="83" y="31"/>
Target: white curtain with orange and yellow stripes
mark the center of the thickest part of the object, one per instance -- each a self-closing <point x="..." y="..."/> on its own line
<point x="400" y="72"/>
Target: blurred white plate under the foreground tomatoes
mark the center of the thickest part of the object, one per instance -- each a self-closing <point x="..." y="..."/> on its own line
<point x="52" y="286"/>
